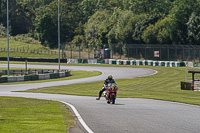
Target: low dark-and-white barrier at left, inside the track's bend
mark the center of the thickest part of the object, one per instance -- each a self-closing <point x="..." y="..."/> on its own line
<point x="36" y="76"/>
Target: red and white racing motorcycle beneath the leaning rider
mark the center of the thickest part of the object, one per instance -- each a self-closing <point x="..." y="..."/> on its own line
<point x="111" y="93"/>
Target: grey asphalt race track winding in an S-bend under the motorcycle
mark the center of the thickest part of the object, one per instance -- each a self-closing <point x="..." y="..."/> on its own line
<point x="128" y="115"/>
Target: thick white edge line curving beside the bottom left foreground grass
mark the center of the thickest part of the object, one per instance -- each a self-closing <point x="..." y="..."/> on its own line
<point x="79" y="117"/>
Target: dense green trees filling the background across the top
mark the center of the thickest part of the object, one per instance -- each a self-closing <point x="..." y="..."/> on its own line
<point x="110" y="22"/>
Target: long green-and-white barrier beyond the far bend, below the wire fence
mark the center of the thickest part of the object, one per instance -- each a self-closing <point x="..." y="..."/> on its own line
<point x="130" y="62"/>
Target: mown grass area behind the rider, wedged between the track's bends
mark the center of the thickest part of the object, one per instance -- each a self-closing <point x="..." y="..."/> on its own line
<point x="165" y="85"/>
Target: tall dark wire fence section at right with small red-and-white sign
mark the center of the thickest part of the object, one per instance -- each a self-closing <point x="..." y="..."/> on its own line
<point x="165" y="52"/>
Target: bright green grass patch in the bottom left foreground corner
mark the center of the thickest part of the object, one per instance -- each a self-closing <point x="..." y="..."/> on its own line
<point x="22" y="115"/>
